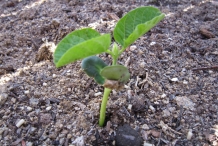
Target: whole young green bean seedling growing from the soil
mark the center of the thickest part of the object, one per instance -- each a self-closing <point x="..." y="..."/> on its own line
<point x="85" y="43"/>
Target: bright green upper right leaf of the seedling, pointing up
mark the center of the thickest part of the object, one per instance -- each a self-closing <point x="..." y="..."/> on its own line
<point x="136" y="23"/>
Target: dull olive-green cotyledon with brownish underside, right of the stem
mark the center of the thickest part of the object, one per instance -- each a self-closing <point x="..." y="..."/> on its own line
<point x="116" y="72"/>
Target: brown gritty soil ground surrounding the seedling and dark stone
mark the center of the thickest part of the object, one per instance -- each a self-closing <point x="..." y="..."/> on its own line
<point x="171" y="98"/>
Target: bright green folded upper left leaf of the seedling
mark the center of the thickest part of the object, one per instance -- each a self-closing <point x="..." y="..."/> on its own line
<point x="80" y="44"/>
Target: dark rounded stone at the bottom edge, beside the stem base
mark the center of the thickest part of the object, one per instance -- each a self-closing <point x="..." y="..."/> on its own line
<point x="127" y="136"/>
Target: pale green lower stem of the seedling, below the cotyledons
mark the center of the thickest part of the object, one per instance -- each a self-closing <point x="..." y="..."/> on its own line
<point x="103" y="106"/>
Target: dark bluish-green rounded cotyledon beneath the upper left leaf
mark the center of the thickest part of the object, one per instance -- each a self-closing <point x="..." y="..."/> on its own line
<point x="92" y="66"/>
